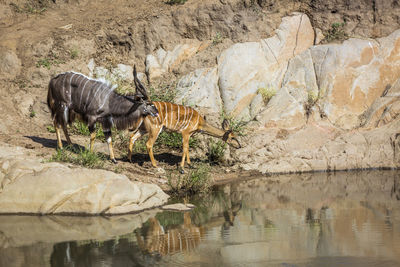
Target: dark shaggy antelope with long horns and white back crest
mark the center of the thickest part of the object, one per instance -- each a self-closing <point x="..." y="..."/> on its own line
<point x="73" y="95"/>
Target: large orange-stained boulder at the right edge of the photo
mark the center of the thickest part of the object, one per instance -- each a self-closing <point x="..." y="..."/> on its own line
<point x="351" y="76"/>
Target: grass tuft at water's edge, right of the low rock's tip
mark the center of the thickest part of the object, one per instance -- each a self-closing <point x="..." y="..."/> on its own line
<point x="196" y="181"/>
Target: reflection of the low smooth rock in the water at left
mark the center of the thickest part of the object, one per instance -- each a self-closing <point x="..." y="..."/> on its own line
<point x="17" y="231"/>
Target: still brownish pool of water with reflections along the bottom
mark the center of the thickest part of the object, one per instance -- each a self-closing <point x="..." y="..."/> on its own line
<point x="342" y="219"/>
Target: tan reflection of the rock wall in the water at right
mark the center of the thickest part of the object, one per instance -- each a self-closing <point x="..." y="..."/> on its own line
<point x="300" y="217"/>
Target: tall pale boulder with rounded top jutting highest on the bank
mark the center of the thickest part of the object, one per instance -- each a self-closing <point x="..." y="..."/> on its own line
<point x="245" y="68"/>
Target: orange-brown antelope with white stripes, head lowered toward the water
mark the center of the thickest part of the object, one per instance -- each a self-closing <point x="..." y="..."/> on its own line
<point x="181" y="119"/>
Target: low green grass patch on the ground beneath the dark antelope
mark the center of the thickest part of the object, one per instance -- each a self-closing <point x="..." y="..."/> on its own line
<point x="79" y="156"/>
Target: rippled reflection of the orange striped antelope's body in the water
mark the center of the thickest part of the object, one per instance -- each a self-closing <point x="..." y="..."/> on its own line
<point x="184" y="238"/>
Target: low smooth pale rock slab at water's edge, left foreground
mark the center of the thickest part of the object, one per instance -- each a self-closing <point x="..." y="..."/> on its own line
<point x="29" y="186"/>
